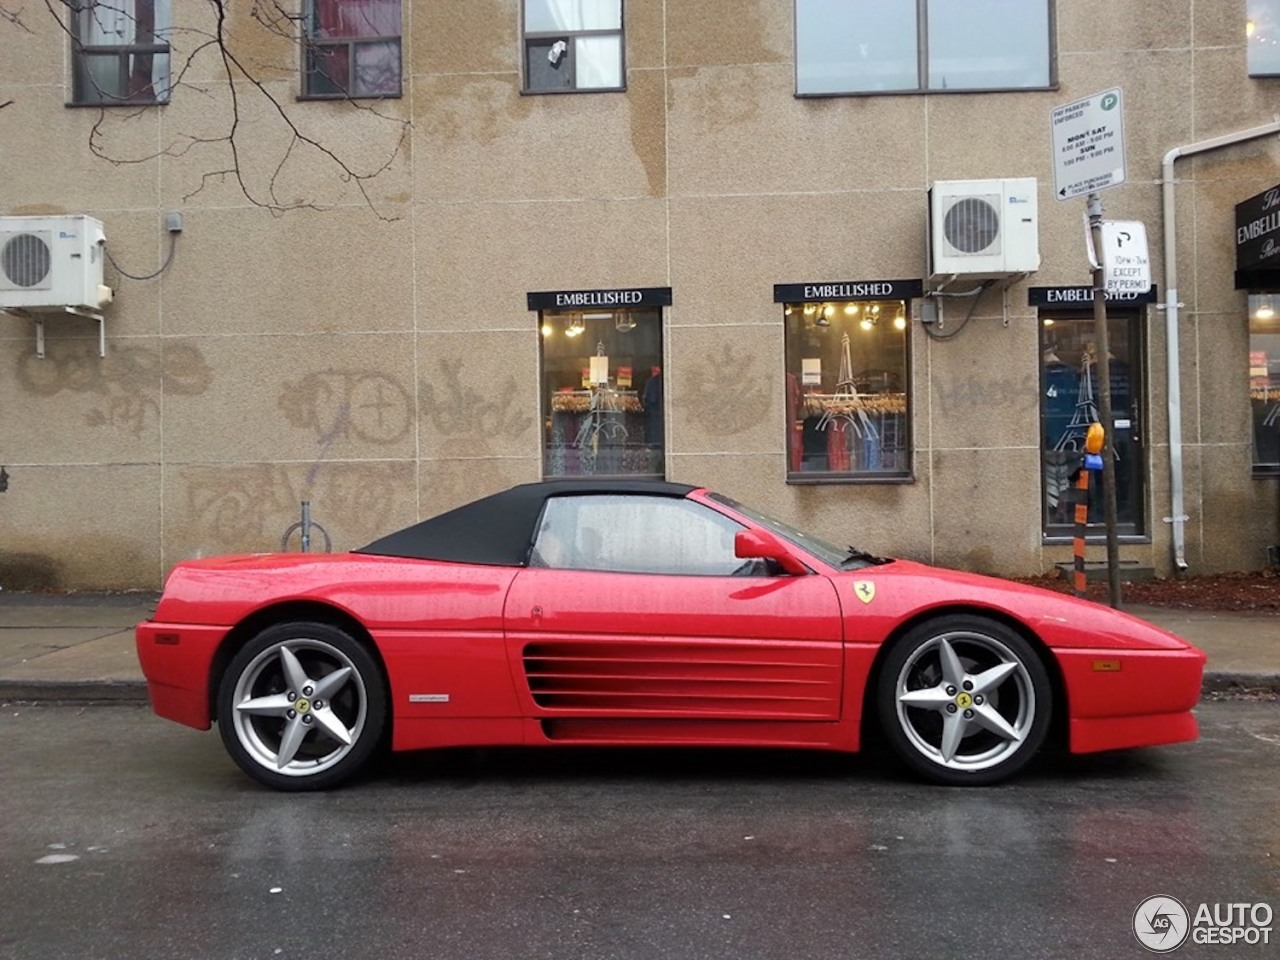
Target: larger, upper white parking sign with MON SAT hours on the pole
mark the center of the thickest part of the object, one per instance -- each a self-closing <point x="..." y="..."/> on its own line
<point x="1089" y="145"/>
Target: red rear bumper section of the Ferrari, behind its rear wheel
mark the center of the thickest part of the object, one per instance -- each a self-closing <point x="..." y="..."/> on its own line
<point x="176" y="661"/>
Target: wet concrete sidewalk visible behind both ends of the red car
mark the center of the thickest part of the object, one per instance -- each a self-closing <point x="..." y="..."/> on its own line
<point x="80" y="647"/>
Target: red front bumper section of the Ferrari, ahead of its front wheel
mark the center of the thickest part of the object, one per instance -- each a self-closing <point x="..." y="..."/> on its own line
<point x="1119" y="700"/>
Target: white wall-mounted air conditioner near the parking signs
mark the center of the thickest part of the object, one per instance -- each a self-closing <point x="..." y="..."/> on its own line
<point x="984" y="228"/>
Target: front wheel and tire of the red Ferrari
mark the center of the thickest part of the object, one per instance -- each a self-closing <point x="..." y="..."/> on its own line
<point x="964" y="701"/>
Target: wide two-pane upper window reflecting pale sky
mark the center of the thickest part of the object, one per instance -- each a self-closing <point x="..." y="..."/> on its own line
<point x="884" y="47"/>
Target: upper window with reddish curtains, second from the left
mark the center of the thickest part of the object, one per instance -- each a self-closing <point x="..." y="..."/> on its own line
<point x="353" y="49"/>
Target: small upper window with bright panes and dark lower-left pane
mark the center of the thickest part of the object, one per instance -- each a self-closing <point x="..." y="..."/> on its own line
<point x="573" y="45"/>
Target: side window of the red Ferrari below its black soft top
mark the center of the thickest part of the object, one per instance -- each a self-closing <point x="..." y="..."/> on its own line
<point x="638" y="534"/>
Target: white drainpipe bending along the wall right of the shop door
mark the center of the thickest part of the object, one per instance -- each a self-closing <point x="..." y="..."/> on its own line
<point x="1171" y="307"/>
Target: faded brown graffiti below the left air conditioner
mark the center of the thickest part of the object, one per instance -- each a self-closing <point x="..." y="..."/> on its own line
<point x="126" y="386"/>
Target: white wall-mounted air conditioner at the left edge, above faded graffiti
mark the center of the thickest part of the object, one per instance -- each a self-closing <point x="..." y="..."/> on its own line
<point x="52" y="264"/>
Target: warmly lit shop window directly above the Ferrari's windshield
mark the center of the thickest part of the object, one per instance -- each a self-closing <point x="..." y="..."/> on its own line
<point x="848" y="391"/>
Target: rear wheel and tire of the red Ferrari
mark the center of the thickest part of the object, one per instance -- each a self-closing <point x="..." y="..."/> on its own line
<point x="303" y="711"/>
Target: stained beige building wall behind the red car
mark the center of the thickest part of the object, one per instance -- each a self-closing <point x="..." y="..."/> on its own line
<point x="372" y="351"/>
